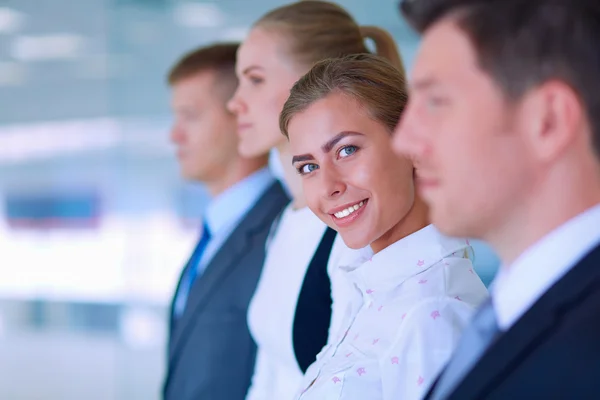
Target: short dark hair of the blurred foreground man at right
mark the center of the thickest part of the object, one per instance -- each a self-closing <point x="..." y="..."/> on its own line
<point x="522" y="44"/>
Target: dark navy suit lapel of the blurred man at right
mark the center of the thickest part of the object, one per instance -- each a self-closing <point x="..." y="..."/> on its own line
<point x="532" y="329"/>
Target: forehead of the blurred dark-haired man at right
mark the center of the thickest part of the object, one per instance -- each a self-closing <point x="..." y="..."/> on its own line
<point x="446" y="55"/>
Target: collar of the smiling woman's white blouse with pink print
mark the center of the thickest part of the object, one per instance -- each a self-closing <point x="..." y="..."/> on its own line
<point x="401" y="260"/>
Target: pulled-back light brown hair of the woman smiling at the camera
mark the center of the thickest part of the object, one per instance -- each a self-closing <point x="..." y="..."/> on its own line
<point x="371" y="80"/>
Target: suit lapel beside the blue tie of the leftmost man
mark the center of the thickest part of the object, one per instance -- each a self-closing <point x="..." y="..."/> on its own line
<point x="224" y="262"/>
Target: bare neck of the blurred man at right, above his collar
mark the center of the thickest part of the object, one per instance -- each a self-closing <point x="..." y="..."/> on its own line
<point x="562" y="196"/>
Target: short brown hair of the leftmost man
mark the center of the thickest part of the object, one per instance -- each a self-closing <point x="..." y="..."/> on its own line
<point x="217" y="57"/>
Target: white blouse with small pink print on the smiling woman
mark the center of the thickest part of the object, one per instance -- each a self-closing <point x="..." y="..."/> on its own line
<point x="412" y="301"/>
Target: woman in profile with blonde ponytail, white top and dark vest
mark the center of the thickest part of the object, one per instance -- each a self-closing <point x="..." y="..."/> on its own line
<point x="291" y="313"/>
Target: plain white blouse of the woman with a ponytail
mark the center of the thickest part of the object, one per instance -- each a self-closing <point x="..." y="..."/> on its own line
<point x="271" y="313"/>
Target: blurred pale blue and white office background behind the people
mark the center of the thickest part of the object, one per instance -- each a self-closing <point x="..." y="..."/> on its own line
<point x="95" y="223"/>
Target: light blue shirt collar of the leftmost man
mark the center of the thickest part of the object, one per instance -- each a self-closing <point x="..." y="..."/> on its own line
<point x="230" y="206"/>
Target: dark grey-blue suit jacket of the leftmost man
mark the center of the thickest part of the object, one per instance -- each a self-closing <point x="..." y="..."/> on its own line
<point x="211" y="353"/>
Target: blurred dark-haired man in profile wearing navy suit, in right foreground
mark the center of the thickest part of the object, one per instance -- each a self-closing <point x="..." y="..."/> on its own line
<point x="504" y="122"/>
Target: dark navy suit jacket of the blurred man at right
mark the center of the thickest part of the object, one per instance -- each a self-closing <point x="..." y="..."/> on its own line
<point x="552" y="352"/>
